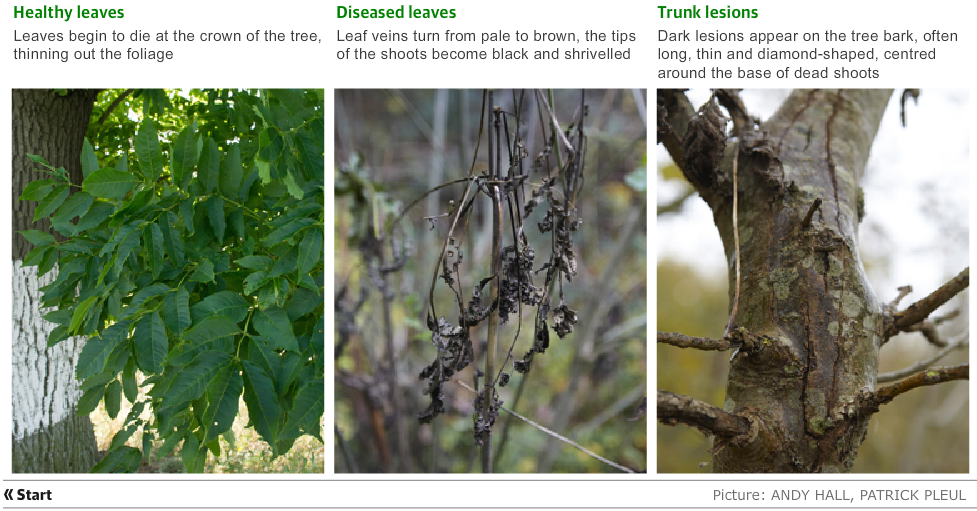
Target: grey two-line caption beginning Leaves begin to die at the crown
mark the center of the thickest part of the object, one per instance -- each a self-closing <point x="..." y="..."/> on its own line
<point x="138" y="45"/>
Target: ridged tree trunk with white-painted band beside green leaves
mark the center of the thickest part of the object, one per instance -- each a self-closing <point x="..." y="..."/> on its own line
<point x="48" y="436"/>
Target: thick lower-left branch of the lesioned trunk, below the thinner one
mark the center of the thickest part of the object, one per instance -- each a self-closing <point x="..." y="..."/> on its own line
<point x="675" y="409"/>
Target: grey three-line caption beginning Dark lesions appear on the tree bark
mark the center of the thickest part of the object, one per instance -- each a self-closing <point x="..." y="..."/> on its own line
<point x="825" y="54"/>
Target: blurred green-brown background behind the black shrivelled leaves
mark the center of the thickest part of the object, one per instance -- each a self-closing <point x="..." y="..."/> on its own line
<point x="392" y="146"/>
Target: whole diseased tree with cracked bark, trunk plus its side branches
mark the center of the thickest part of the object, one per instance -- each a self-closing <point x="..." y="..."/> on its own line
<point x="798" y="406"/>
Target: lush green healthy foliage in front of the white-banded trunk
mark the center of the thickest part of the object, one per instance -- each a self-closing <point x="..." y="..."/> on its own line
<point x="152" y="274"/>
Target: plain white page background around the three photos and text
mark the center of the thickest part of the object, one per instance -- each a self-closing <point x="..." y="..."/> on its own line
<point x="314" y="65"/>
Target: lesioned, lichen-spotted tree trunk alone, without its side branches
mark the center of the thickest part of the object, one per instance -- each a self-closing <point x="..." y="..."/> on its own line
<point x="810" y="320"/>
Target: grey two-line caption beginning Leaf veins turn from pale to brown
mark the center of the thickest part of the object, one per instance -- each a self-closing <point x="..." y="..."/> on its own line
<point x="495" y="45"/>
